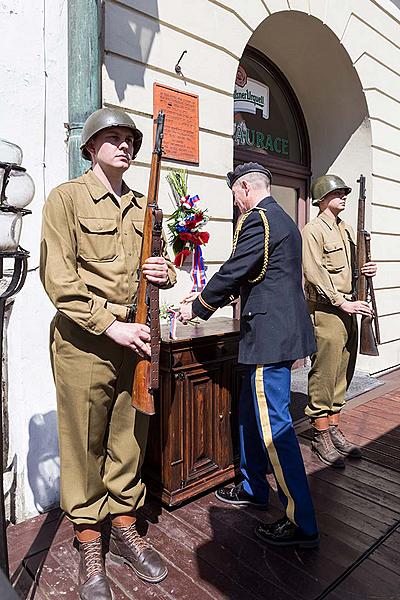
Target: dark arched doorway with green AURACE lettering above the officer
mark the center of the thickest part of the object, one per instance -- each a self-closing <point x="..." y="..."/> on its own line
<point x="270" y="129"/>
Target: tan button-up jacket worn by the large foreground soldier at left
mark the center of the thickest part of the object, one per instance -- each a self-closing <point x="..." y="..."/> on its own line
<point x="90" y="251"/>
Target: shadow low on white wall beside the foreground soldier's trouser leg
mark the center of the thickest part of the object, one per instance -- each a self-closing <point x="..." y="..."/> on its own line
<point x="43" y="461"/>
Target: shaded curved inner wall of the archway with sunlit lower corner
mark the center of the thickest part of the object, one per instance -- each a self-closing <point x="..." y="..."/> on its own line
<point x="327" y="86"/>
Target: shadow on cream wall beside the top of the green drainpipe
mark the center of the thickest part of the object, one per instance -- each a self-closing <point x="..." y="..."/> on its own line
<point x="129" y="34"/>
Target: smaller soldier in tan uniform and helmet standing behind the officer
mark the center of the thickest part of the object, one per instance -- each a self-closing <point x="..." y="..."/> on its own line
<point x="328" y="264"/>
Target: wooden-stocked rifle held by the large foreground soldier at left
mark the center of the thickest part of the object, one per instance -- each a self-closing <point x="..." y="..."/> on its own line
<point x="146" y="376"/>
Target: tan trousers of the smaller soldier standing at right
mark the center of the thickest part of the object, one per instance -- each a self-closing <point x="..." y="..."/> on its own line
<point x="332" y="366"/>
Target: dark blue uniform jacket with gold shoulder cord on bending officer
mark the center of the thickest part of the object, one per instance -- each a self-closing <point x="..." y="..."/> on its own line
<point x="275" y="325"/>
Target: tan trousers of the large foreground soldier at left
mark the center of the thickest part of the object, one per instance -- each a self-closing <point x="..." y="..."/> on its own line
<point x="102" y="438"/>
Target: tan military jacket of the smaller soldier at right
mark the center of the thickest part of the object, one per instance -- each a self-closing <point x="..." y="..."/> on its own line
<point x="328" y="260"/>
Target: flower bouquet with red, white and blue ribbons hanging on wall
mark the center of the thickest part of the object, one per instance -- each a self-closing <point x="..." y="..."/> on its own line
<point x="184" y="226"/>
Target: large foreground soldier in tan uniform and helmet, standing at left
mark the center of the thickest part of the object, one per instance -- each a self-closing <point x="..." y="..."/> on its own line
<point x="90" y="249"/>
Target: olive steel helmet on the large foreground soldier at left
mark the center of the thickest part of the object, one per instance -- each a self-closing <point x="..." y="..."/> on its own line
<point x="109" y="117"/>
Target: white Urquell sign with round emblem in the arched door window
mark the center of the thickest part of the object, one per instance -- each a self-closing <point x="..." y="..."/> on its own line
<point x="250" y="95"/>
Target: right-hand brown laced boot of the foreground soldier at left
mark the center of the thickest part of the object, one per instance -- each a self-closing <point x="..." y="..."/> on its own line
<point x="127" y="547"/>
